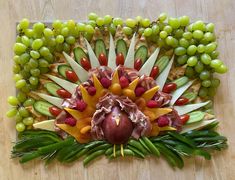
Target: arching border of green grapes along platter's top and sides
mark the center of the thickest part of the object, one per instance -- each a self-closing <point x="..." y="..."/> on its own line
<point x="194" y="44"/>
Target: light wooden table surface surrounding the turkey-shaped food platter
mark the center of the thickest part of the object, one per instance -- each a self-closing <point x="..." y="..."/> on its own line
<point x="222" y="13"/>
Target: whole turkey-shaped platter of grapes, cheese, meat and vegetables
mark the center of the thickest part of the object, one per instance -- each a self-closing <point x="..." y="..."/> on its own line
<point x="117" y="88"/>
